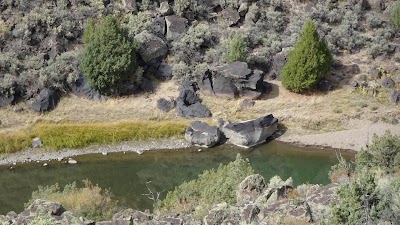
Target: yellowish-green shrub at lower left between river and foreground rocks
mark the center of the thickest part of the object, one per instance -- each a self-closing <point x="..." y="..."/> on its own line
<point x="90" y="201"/>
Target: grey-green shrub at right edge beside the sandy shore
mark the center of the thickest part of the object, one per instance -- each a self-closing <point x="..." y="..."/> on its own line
<point x="384" y="152"/>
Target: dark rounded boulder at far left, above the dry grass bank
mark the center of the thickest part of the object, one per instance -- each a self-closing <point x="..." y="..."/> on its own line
<point x="46" y="100"/>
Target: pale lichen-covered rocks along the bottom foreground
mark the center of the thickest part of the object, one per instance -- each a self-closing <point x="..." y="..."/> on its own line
<point x="258" y="202"/>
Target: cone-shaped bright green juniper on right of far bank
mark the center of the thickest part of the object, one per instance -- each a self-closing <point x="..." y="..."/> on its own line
<point x="308" y="62"/>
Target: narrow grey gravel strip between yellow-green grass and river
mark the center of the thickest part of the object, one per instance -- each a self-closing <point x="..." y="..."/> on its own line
<point x="32" y="155"/>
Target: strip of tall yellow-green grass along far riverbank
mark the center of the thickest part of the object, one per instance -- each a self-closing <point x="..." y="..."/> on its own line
<point x="57" y="136"/>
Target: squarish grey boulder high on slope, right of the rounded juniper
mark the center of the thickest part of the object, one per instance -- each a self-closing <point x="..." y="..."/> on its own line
<point x="176" y="27"/>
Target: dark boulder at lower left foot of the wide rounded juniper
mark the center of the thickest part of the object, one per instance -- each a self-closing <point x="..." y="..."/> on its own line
<point x="82" y="88"/>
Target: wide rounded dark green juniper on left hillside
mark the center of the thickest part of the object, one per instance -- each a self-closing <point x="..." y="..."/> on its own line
<point x="109" y="57"/>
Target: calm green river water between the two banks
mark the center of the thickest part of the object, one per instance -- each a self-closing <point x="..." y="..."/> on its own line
<point x="126" y="174"/>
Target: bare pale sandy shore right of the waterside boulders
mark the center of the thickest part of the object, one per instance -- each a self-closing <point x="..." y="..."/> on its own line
<point x="352" y="139"/>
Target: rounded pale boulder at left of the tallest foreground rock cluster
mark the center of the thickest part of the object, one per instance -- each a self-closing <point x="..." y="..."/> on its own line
<point x="250" y="189"/>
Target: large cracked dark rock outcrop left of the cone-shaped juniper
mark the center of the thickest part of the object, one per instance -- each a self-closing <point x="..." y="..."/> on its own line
<point x="233" y="81"/>
